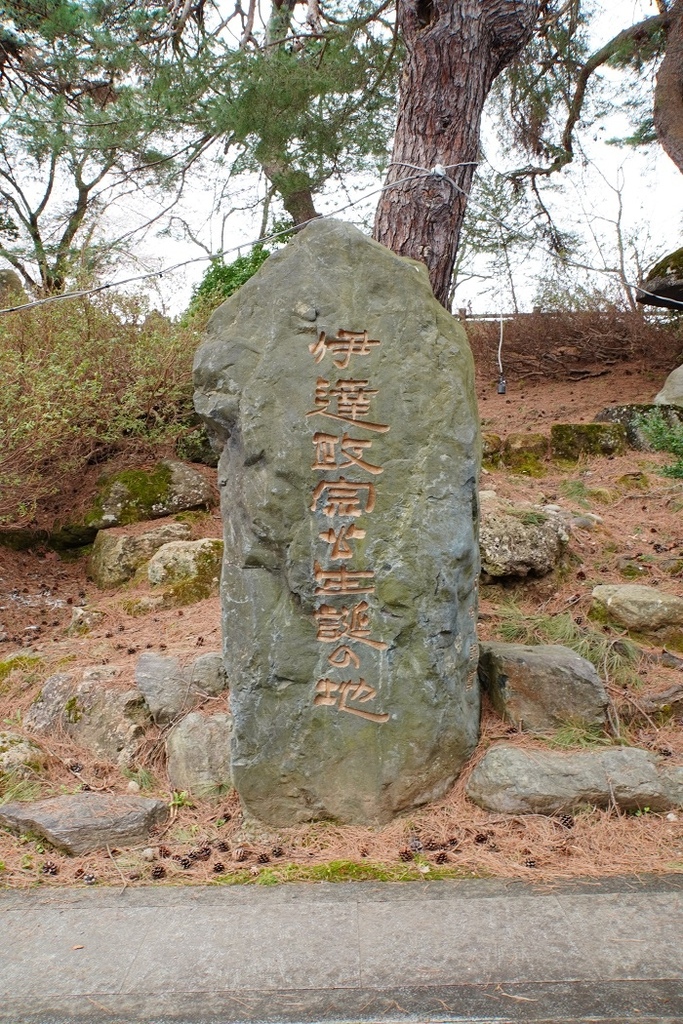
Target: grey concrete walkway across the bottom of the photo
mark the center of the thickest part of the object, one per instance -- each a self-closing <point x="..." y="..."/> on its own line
<point x="434" y="952"/>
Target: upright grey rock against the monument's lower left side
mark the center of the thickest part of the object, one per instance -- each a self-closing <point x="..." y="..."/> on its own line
<point x="199" y="755"/>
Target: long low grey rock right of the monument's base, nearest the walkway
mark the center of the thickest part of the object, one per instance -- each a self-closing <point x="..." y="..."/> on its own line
<point x="510" y="781"/>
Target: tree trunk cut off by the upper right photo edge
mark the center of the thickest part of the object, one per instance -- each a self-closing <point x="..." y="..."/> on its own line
<point x="669" y="90"/>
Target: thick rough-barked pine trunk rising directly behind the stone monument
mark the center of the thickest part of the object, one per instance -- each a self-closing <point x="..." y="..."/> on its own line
<point x="454" y="52"/>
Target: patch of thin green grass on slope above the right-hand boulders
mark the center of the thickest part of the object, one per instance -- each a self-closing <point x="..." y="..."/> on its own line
<point x="615" y="658"/>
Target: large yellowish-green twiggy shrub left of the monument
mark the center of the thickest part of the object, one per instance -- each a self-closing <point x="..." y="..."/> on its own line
<point x="84" y="380"/>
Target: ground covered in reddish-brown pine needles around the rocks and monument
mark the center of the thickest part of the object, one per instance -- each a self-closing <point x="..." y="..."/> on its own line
<point x="641" y="531"/>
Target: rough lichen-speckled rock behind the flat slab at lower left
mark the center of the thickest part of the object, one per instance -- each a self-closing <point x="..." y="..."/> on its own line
<point x="107" y="720"/>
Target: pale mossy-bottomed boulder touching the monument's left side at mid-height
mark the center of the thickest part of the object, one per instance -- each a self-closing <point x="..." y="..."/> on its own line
<point x="190" y="571"/>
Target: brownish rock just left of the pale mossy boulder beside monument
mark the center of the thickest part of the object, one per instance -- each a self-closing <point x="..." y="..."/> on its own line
<point x="117" y="557"/>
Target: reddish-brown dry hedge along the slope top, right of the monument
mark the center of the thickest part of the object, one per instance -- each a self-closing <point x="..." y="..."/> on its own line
<point x="574" y="346"/>
